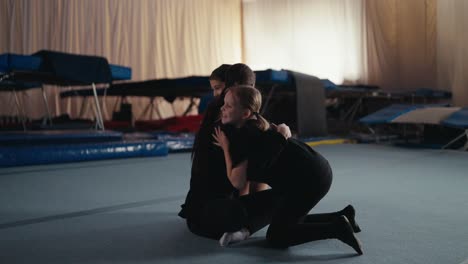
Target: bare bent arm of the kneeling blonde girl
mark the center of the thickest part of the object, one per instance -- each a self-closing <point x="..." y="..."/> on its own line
<point x="237" y="175"/>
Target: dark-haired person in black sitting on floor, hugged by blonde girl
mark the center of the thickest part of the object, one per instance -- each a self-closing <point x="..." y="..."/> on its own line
<point x="213" y="206"/>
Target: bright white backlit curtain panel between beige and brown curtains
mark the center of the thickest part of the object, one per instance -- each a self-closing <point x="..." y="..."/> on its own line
<point x="323" y="38"/>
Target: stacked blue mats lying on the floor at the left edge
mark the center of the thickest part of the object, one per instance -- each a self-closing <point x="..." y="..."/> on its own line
<point x="47" y="147"/>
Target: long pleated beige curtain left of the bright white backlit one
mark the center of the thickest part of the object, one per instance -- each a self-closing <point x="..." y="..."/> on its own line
<point x="156" y="38"/>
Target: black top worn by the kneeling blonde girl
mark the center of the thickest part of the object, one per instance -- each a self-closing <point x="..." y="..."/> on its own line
<point x="284" y="164"/>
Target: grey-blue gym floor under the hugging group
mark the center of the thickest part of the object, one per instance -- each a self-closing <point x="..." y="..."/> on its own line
<point x="412" y="205"/>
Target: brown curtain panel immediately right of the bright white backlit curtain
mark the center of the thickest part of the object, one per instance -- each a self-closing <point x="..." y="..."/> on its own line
<point x="401" y="44"/>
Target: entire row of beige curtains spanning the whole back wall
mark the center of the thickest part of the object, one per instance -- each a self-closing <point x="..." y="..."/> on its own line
<point x="396" y="44"/>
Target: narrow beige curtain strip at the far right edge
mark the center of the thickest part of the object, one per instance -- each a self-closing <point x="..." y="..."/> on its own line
<point x="452" y="54"/>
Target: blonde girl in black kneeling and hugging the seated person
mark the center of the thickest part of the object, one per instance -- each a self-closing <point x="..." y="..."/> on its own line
<point x="299" y="176"/>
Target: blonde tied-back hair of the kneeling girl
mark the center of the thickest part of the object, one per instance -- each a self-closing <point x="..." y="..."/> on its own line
<point x="250" y="98"/>
